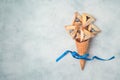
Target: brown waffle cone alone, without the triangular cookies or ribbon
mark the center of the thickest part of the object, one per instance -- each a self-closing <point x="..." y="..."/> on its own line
<point x="82" y="48"/>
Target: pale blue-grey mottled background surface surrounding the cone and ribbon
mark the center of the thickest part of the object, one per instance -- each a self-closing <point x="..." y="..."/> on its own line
<point x="32" y="36"/>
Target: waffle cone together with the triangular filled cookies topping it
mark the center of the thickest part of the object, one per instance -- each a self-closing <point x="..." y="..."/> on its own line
<point x="82" y="30"/>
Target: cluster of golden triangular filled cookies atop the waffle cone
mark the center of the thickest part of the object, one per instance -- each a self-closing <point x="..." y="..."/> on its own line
<point x="82" y="27"/>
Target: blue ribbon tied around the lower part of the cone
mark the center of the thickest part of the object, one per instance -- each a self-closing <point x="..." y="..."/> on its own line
<point x="84" y="57"/>
